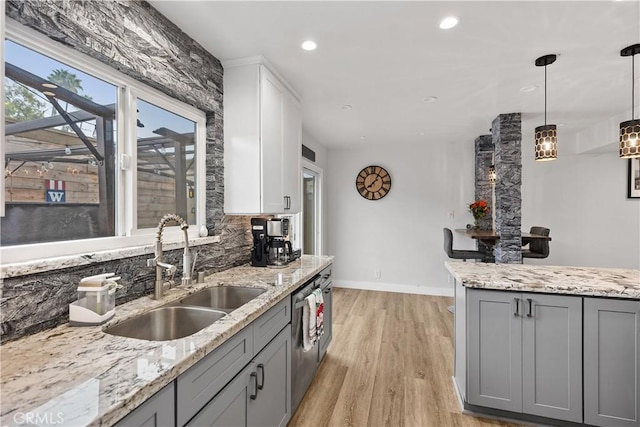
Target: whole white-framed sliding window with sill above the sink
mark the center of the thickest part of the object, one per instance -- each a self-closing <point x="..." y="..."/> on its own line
<point x="91" y="156"/>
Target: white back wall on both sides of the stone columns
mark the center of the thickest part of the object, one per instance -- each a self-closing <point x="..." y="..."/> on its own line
<point x="580" y="197"/>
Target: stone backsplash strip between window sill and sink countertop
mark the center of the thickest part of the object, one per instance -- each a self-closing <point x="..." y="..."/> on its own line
<point x="36" y="302"/>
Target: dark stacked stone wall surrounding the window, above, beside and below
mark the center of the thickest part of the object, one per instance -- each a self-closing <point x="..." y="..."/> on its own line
<point x="135" y="39"/>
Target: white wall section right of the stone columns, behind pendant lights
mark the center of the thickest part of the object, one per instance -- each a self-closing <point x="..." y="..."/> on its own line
<point x="582" y="198"/>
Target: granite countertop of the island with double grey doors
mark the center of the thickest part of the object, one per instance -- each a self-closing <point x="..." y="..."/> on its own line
<point x="584" y="281"/>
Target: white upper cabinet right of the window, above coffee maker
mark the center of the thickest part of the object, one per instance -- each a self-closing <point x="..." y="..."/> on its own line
<point x="262" y="141"/>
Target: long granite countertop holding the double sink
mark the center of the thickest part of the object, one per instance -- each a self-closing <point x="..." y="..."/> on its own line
<point x="82" y="376"/>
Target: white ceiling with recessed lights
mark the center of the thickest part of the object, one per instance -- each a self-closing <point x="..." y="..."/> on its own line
<point x="385" y="58"/>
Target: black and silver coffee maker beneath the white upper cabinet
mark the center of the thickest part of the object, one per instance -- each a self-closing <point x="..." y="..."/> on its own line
<point x="271" y="247"/>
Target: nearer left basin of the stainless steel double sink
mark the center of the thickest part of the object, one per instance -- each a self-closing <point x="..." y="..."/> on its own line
<point x="166" y="323"/>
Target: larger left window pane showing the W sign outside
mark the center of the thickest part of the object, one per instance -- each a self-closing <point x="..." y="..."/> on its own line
<point x="60" y="142"/>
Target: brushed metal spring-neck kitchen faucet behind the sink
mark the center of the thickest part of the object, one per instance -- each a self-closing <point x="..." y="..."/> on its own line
<point x="171" y="269"/>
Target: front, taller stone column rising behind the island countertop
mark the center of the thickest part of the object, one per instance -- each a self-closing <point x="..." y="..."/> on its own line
<point x="506" y="132"/>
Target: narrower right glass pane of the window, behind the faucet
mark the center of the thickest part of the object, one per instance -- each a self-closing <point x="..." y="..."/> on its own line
<point x="166" y="165"/>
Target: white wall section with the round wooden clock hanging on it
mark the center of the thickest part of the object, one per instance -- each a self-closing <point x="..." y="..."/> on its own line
<point x="401" y="234"/>
